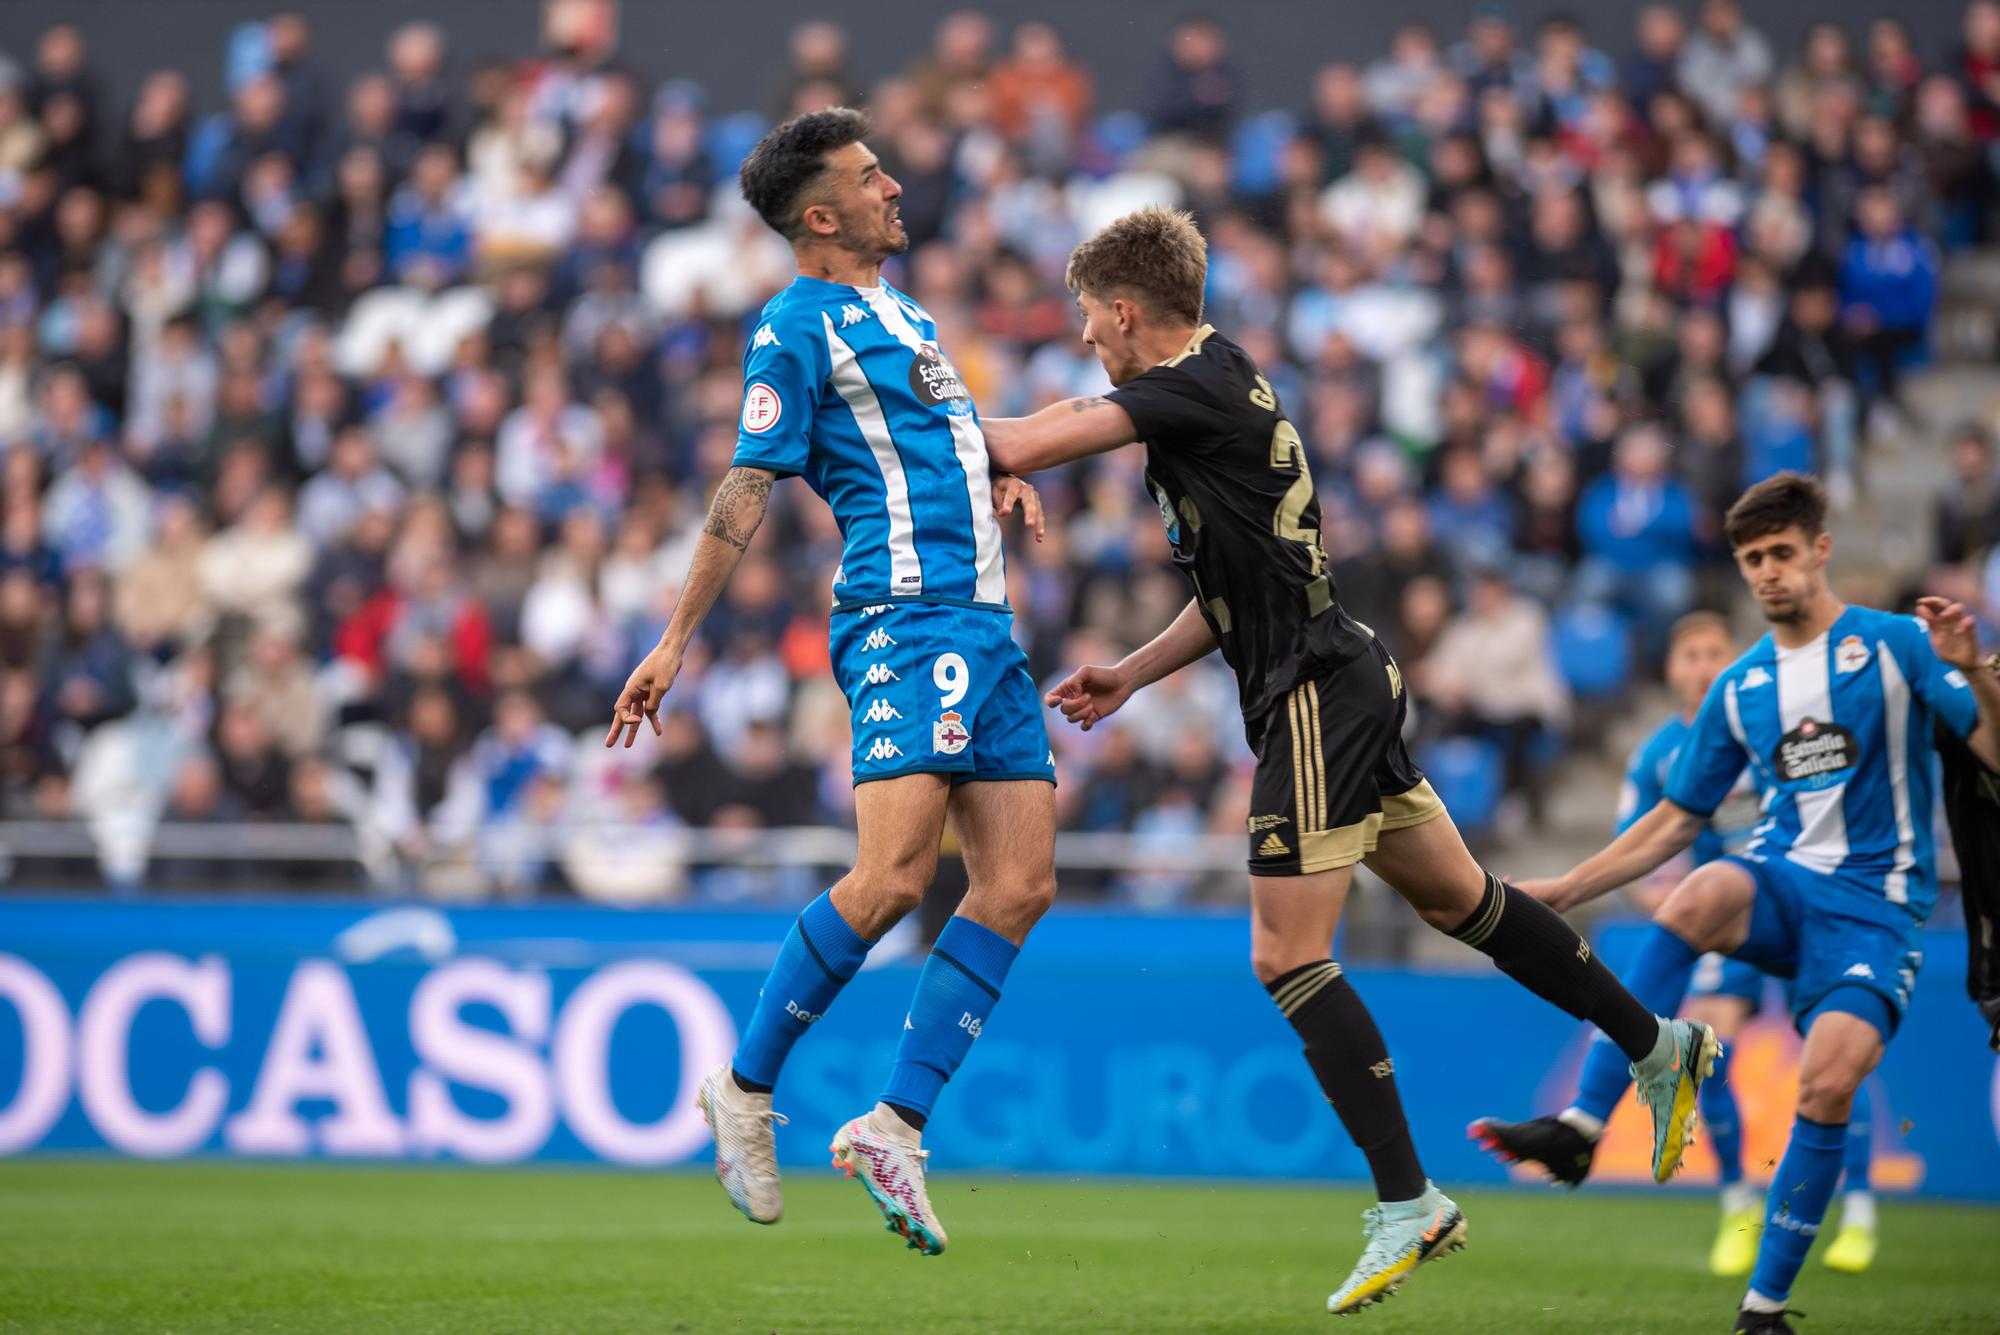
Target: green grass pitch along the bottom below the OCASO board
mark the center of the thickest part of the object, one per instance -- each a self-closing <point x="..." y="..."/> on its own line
<point x="101" y="1246"/>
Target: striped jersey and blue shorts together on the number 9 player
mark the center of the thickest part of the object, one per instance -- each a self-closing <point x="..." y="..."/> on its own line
<point x="849" y="391"/>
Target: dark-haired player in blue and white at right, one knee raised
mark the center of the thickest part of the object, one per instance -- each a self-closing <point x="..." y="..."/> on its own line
<point x="1833" y="714"/>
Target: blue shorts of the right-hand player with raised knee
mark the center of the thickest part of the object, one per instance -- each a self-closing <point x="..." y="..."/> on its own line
<point x="1827" y="932"/>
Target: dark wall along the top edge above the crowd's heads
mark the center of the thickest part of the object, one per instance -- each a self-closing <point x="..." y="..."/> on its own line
<point x="737" y="51"/>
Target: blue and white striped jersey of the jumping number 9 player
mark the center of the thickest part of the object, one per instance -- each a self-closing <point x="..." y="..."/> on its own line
<point x="849" y="391"/>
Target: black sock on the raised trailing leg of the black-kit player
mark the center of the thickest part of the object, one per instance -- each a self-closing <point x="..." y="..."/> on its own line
<point x="1541" y="952"/>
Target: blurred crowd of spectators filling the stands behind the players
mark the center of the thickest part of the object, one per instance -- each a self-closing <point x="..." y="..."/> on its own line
<point x="359" y="435"/>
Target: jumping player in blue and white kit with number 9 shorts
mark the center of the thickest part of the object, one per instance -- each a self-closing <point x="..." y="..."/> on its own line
<point x="845" y="387"/>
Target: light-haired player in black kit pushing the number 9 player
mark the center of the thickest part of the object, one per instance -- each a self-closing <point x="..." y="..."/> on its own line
<point x="1323" y="710"/>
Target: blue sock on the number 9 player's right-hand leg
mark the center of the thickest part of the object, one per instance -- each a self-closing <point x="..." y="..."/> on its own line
<point x="955" y="994"/>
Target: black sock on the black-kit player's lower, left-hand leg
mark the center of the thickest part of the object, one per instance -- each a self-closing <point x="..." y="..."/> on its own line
<point x="1347" y="1054"/>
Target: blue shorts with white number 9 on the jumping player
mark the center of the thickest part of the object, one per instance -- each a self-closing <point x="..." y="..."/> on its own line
<point x="939" y="690"/>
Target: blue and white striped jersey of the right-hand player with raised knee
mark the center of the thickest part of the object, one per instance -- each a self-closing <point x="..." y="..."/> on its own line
<point x="1837" y="736"/>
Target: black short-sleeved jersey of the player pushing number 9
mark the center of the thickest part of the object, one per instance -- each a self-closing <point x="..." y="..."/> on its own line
<point x="1231" y="479"/>
